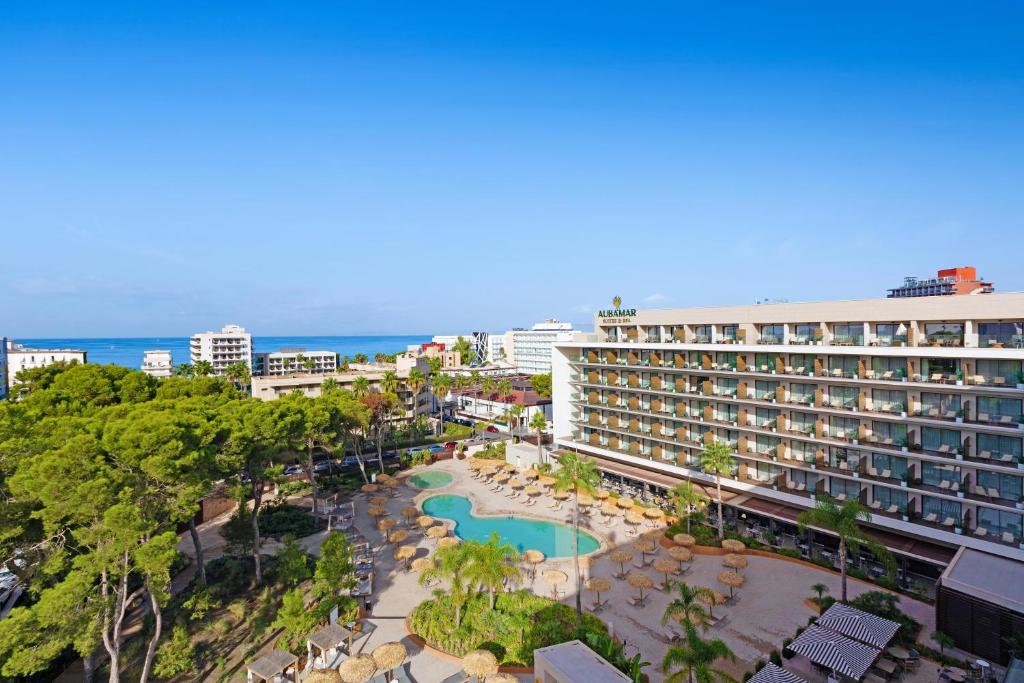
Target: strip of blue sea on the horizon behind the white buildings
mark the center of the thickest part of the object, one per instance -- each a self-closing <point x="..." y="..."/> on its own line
<point x="127" y="352"/>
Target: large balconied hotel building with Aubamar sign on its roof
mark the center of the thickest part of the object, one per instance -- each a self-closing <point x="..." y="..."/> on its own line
<point x="911" y="406"/>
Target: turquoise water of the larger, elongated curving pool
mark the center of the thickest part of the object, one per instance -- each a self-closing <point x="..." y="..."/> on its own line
<point x="552" y="539"/>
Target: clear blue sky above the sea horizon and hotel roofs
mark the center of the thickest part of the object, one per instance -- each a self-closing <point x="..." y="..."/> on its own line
<point x="380" y="167"/>
